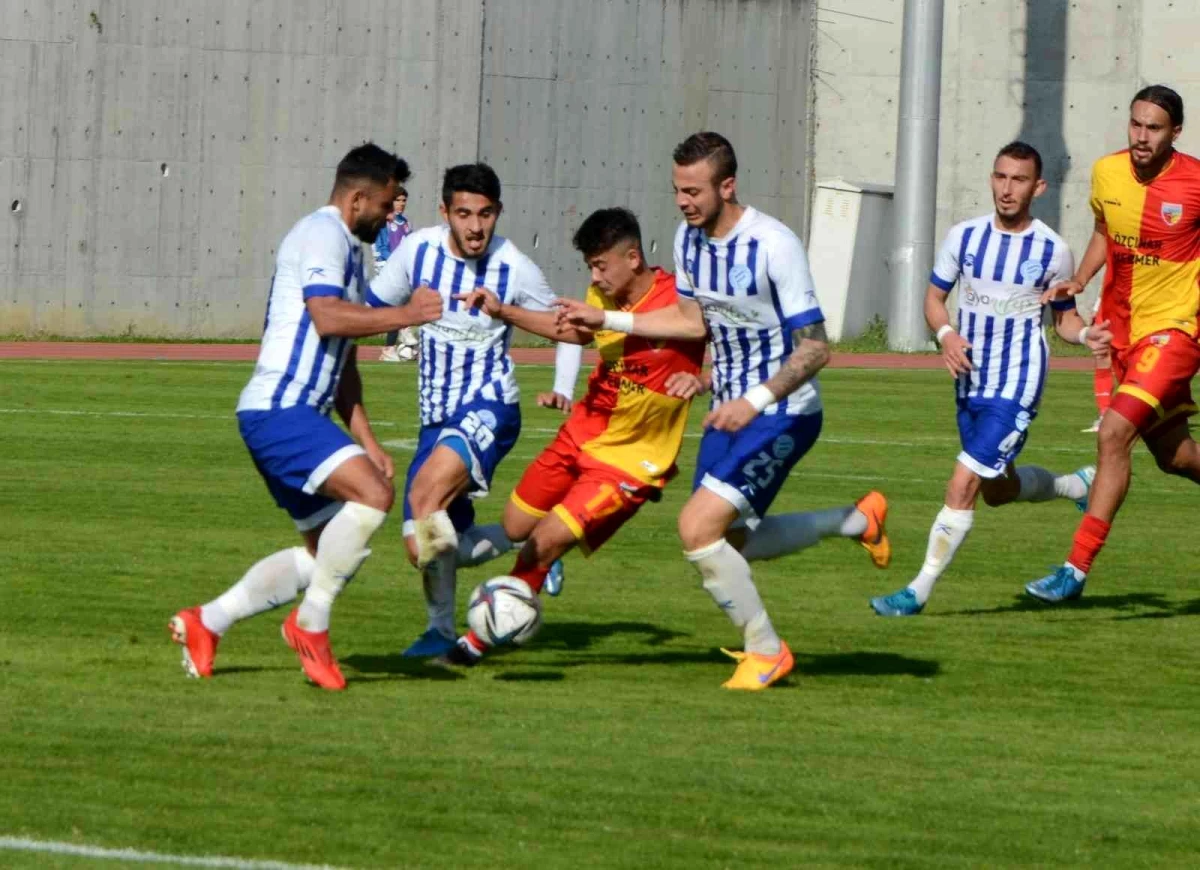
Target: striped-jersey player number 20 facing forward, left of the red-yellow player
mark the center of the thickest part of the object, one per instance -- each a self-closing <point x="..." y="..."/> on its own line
<point x="469" y="391"/>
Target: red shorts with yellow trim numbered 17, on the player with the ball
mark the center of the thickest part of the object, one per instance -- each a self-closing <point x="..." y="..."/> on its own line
<point x="591" y="499"/>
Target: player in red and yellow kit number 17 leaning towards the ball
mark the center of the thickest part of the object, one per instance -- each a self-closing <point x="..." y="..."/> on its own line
<point x="620" y="447"/>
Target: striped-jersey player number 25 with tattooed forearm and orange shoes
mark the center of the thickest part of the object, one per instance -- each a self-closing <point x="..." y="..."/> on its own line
<point x="745" y="283"/>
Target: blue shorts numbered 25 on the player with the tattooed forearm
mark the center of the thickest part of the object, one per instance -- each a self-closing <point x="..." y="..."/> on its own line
<point x="748" y="469"/>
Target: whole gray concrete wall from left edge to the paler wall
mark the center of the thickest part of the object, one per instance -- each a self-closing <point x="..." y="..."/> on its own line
<point x="154" y="153"/>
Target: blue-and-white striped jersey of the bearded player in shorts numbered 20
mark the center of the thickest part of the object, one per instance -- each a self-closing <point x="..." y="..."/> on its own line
<point x="465" y="355"/>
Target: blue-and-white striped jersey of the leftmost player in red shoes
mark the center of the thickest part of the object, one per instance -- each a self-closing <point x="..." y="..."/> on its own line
<point x="319" y="257"/>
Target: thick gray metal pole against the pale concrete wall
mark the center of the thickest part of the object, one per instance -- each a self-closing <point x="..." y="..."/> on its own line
<point x="916" y="191"/>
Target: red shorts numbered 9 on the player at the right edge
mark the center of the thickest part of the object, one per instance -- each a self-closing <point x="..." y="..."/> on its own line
<point x="1155" y="379"/>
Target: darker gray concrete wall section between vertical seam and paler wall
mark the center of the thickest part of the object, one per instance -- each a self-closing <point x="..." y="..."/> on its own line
<point x="585" y="101"/>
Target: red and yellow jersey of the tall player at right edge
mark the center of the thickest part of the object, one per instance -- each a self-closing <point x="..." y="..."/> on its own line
<point x="1153" y="277"/>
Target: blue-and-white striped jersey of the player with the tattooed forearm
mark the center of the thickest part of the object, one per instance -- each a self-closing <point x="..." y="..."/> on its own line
<point x="754" y="287"/>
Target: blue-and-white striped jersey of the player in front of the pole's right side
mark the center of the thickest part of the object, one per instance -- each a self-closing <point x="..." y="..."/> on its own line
<point x="1001" y="277"/>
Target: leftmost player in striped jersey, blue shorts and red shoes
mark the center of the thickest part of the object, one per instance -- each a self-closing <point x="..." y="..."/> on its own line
<point x="337" y="489"/>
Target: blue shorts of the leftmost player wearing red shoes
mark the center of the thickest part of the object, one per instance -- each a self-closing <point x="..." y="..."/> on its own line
<point x="296" y="451"/>
